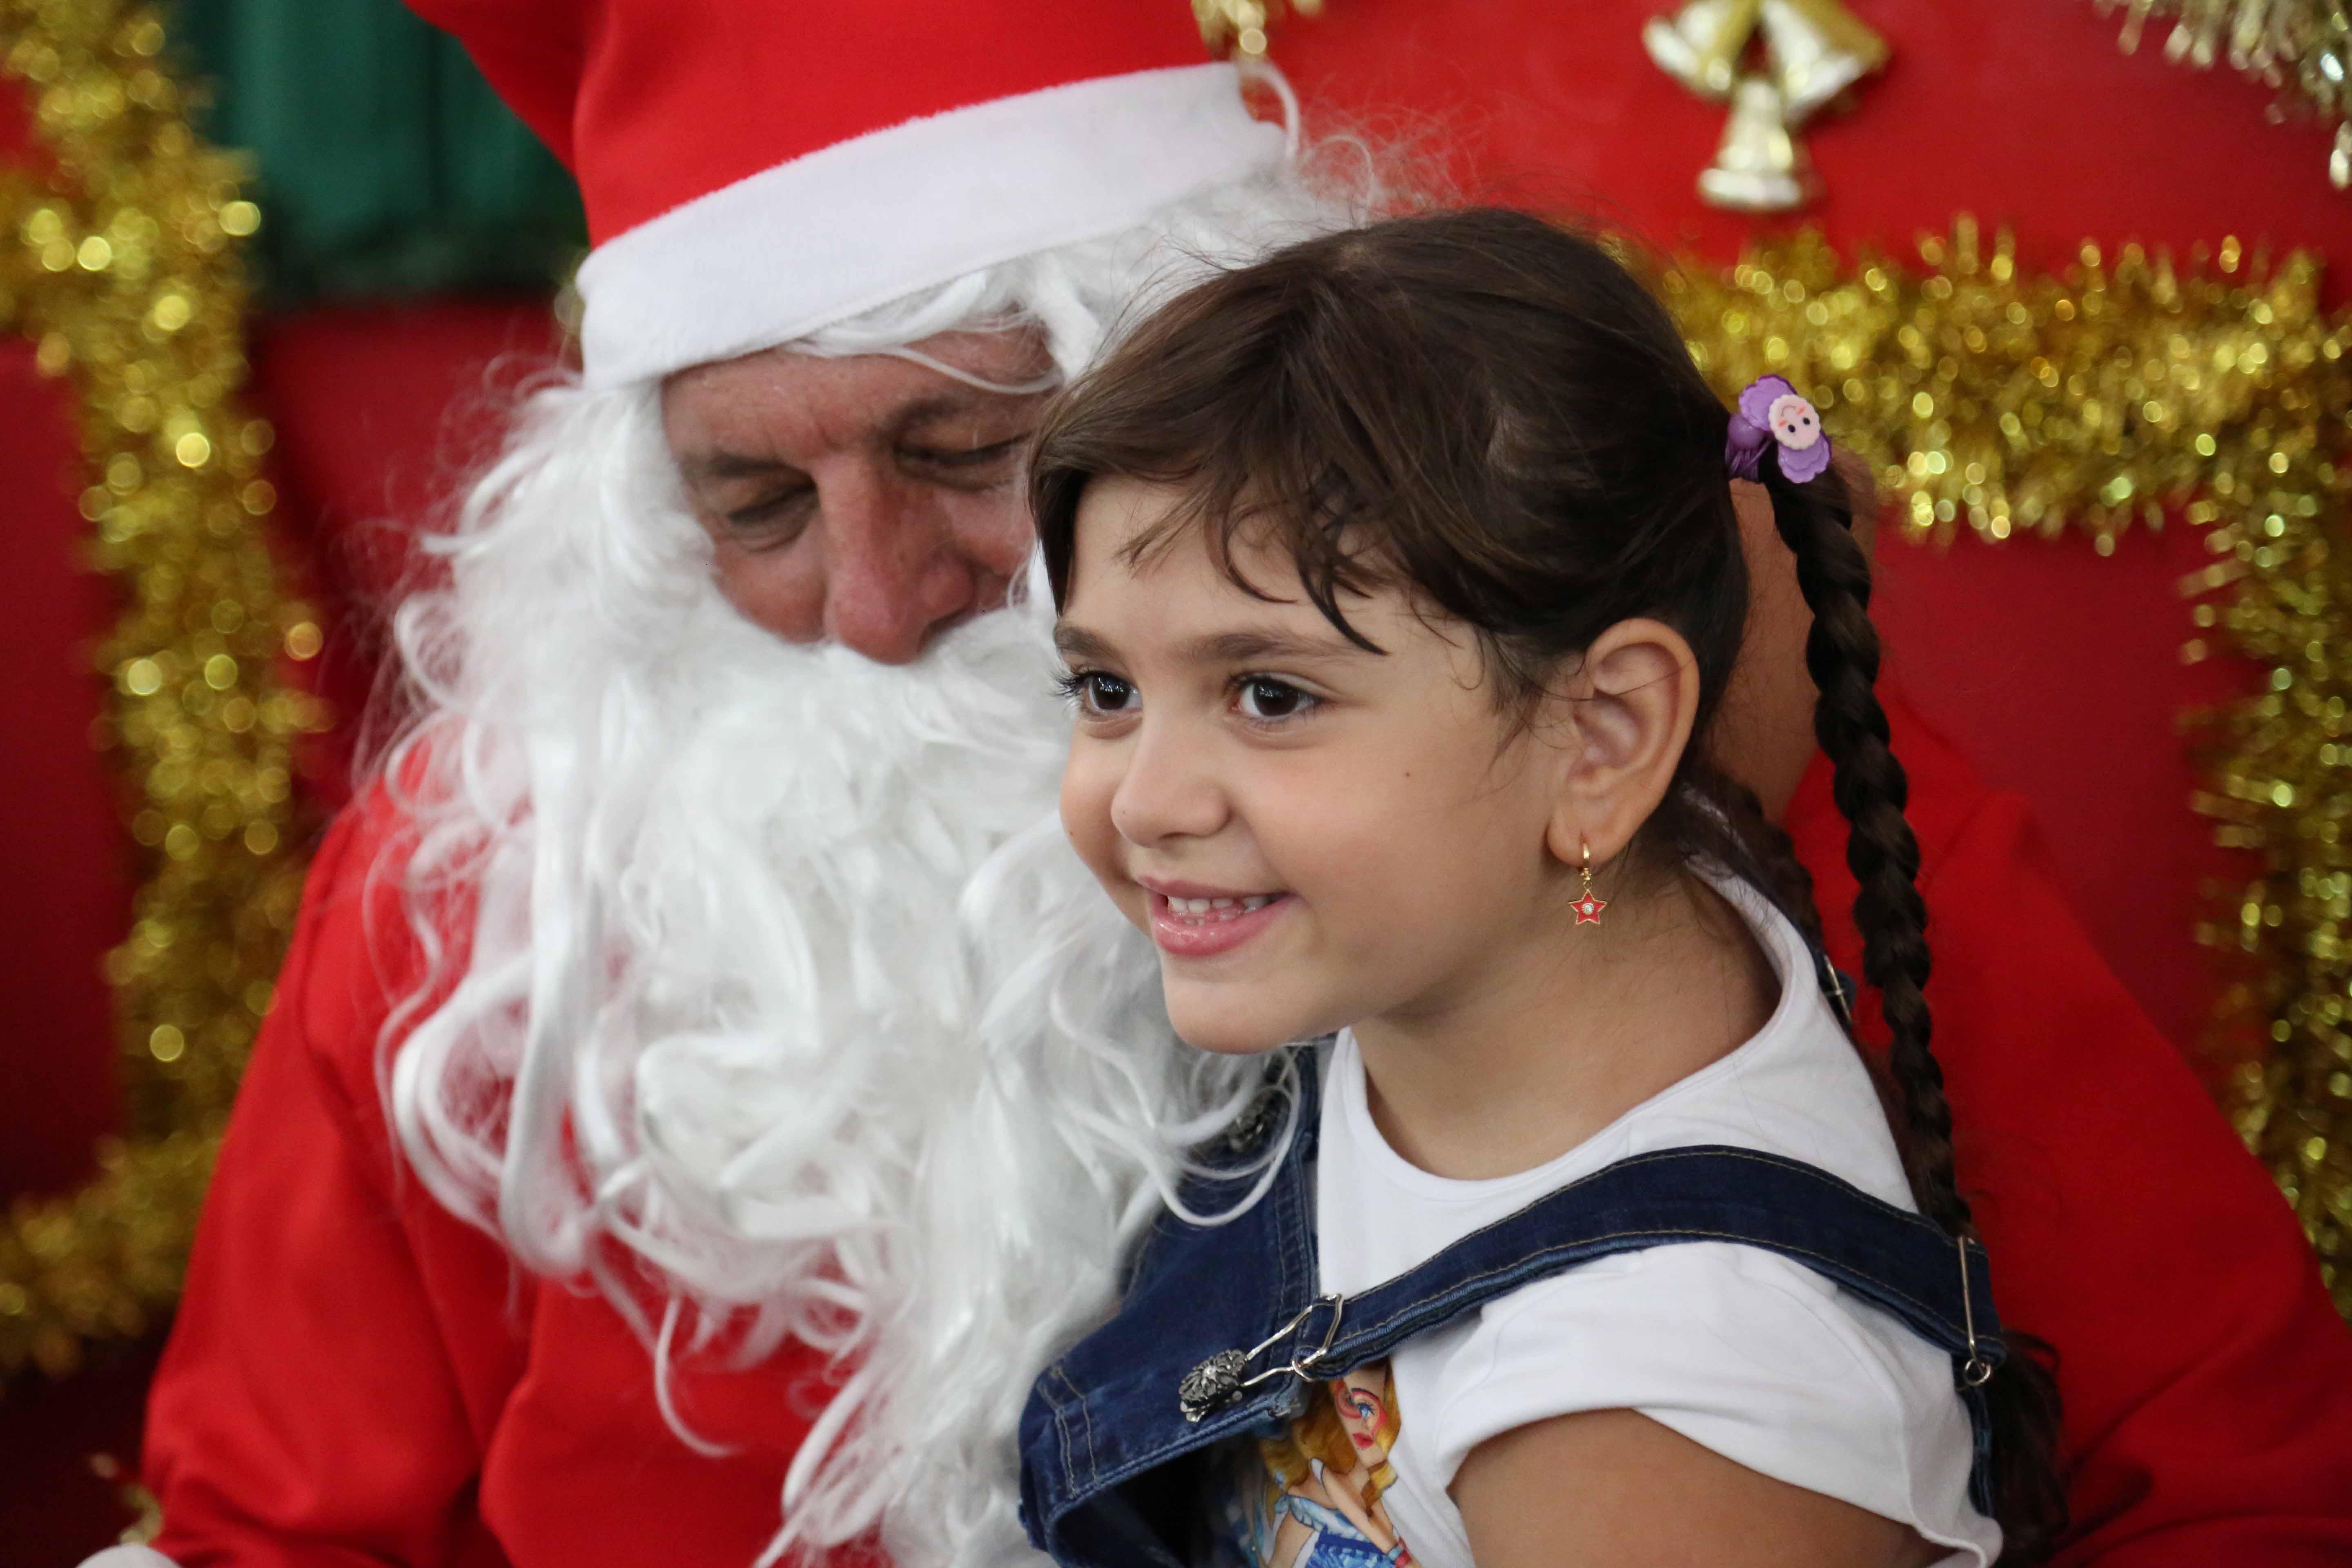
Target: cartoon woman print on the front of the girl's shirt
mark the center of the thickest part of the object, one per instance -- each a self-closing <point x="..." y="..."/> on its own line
<point x="1314" y="1499"/>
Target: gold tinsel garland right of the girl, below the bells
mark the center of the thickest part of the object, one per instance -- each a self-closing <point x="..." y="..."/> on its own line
<point x="2094" y="401"/>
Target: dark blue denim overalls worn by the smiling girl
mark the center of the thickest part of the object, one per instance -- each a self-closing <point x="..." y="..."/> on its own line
<point x="1222" y="1329"/>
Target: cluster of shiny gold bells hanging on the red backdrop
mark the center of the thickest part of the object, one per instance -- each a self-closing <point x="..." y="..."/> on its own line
<point x="1777" y="65"/>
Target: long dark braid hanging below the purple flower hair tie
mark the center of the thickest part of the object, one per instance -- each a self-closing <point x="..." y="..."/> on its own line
<point x="1869" y="784"/>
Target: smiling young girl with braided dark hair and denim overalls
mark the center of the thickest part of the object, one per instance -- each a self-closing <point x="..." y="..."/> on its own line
<point x="1401" y="584"/>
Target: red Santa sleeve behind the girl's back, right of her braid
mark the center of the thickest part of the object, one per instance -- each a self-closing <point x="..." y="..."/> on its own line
<point x="2205" y="1372"/>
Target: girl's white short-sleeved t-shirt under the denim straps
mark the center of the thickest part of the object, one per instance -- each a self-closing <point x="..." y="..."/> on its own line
<point x="1735" y="1348"/>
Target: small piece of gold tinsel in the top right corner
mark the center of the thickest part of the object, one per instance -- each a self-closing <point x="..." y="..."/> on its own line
<point x="2304" y="46"/>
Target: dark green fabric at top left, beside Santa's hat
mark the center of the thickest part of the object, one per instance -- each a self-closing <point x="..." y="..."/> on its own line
<point x="385" y="163"/>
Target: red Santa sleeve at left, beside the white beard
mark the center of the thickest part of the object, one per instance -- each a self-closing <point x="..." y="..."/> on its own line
<point x="345" y="1346"/>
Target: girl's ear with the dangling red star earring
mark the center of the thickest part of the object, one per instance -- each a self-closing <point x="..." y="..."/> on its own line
<point x="1622" y="721"/>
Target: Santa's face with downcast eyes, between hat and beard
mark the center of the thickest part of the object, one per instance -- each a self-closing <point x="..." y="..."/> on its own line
<point x="871" y="500"/>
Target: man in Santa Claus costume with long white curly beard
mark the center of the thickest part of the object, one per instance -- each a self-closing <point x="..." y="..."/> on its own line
<point x="704" y="1087"/>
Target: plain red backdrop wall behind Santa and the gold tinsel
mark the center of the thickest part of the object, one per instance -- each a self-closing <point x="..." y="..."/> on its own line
<point x="2057" y="669"/>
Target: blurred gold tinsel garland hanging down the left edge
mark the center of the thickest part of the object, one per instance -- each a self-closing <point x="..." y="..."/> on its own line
<point x="123" y="269"/>
